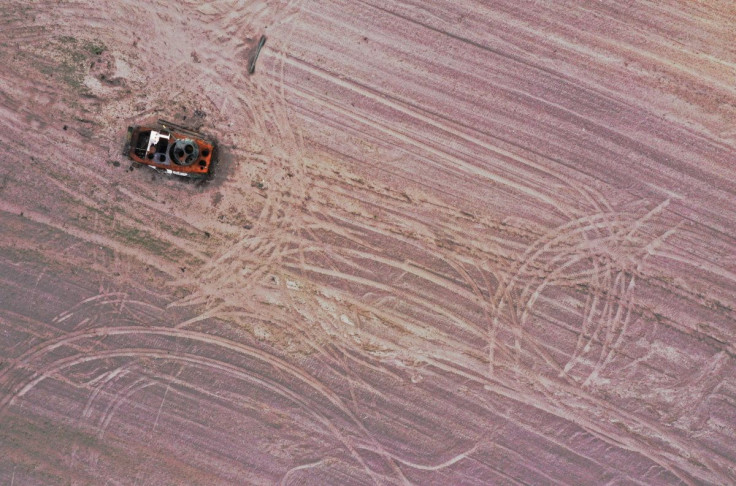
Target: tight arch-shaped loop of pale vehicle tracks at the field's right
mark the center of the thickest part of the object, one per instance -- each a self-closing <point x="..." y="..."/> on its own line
<point x="623" y="252"/>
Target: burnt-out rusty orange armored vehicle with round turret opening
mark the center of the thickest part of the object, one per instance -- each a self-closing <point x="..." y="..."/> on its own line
<point x="171" y="148"/>
